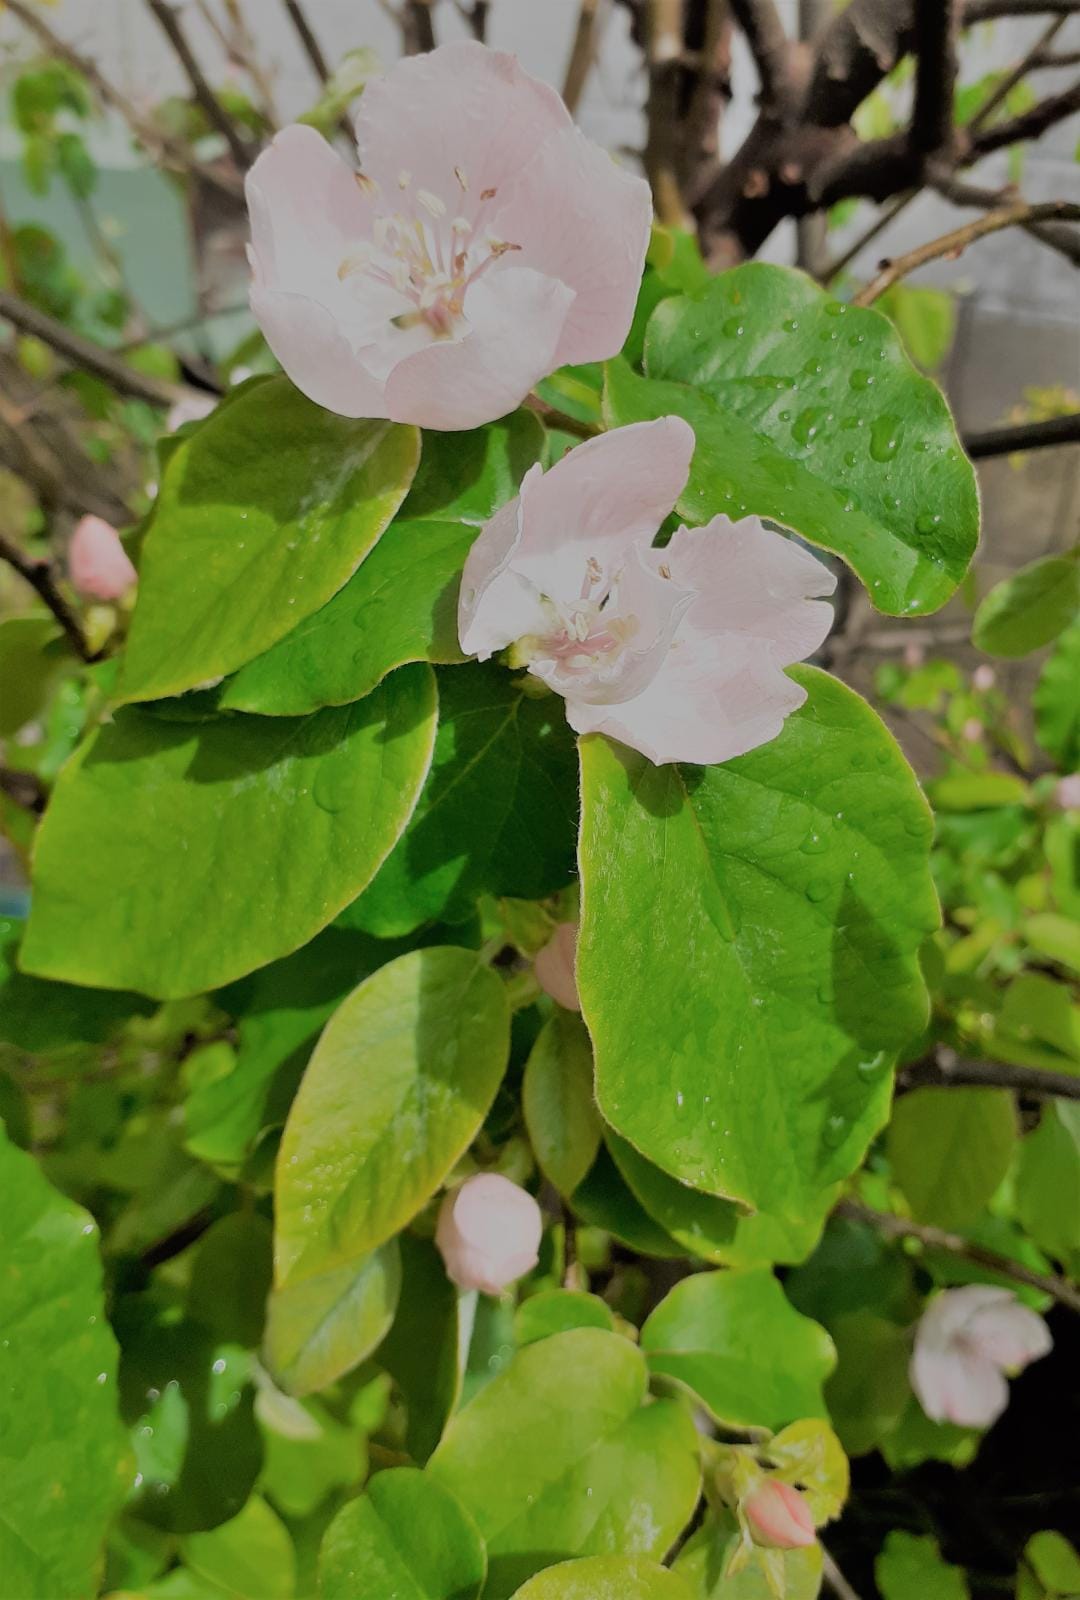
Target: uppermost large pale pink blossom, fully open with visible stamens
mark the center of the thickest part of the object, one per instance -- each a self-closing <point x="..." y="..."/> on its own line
<point x="486" y="244"/>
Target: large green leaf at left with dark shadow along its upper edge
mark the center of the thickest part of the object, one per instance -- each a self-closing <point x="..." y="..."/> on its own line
<point x="180" y="855"/>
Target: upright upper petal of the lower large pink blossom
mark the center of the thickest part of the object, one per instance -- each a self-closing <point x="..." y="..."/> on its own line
<point x="599" y="502"/>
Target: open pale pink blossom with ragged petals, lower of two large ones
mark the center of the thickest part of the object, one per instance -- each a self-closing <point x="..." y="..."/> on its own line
<point x="679" y="652"/>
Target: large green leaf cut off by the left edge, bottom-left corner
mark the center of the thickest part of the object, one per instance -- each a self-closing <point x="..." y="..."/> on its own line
<point x="63" y="1455"/>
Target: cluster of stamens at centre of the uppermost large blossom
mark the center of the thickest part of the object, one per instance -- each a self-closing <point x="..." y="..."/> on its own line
<point x="426" y="255"/>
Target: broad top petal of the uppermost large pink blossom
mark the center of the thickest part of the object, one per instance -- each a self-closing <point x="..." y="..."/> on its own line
<point x="463" y="106"/>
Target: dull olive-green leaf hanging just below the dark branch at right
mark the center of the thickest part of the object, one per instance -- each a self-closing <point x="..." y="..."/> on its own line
<point x="950" y="1150"/>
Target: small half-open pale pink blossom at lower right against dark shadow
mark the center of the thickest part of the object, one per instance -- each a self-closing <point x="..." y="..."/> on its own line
<point x="966" y="1345"/>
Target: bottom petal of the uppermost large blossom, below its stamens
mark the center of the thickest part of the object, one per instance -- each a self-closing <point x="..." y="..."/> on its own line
<point x="516" y="322"/>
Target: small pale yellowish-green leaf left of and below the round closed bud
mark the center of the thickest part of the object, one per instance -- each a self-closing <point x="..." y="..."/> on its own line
<point x="321" y="1329"/>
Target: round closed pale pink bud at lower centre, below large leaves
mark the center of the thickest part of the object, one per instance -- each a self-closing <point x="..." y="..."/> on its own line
<point x="489" y="1233"/>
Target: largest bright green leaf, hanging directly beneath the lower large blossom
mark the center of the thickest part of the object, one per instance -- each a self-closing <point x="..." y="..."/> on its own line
<point x="748" y="959"/>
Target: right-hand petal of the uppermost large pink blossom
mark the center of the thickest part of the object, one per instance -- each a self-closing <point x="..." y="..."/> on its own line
<point x="586" y="222"/>
